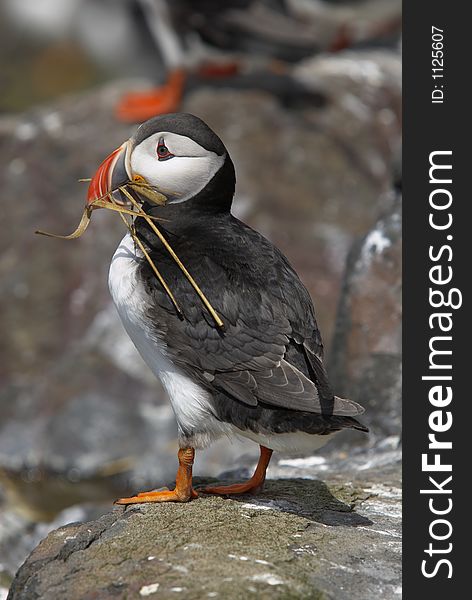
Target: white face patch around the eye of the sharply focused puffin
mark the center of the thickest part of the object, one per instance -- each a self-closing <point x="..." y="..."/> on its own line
<point x="180" y="177"/>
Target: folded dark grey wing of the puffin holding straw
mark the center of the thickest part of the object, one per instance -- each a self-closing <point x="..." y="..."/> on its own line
<point x="266" y="310"/>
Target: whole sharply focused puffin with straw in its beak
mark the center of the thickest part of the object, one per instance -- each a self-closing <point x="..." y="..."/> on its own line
<point x="259" y="373"/>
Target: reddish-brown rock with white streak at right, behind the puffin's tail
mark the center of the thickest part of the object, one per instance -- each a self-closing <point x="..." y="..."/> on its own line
<point x="366" y="355"/>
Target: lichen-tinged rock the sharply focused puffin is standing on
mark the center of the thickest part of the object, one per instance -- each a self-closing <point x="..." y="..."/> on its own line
<point x="301" y="538"/>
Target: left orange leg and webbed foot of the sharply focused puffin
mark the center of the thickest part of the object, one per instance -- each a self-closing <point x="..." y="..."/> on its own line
<point x="183" y="491"/>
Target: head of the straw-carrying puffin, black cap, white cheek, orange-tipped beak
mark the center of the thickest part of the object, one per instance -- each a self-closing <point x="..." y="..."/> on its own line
<point x="180" y="156"/>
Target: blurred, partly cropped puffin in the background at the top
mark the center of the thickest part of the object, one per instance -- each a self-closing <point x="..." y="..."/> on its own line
<point x="248" y="44"/>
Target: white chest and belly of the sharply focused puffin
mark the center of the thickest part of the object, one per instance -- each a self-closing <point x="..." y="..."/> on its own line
<point x="189" y="401"/>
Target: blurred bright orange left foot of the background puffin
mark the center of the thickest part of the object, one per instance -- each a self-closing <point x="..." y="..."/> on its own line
<point x="140" y="106"/>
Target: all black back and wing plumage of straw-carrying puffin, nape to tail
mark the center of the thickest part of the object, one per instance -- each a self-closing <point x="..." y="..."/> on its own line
<point x="268" y="357"/>
